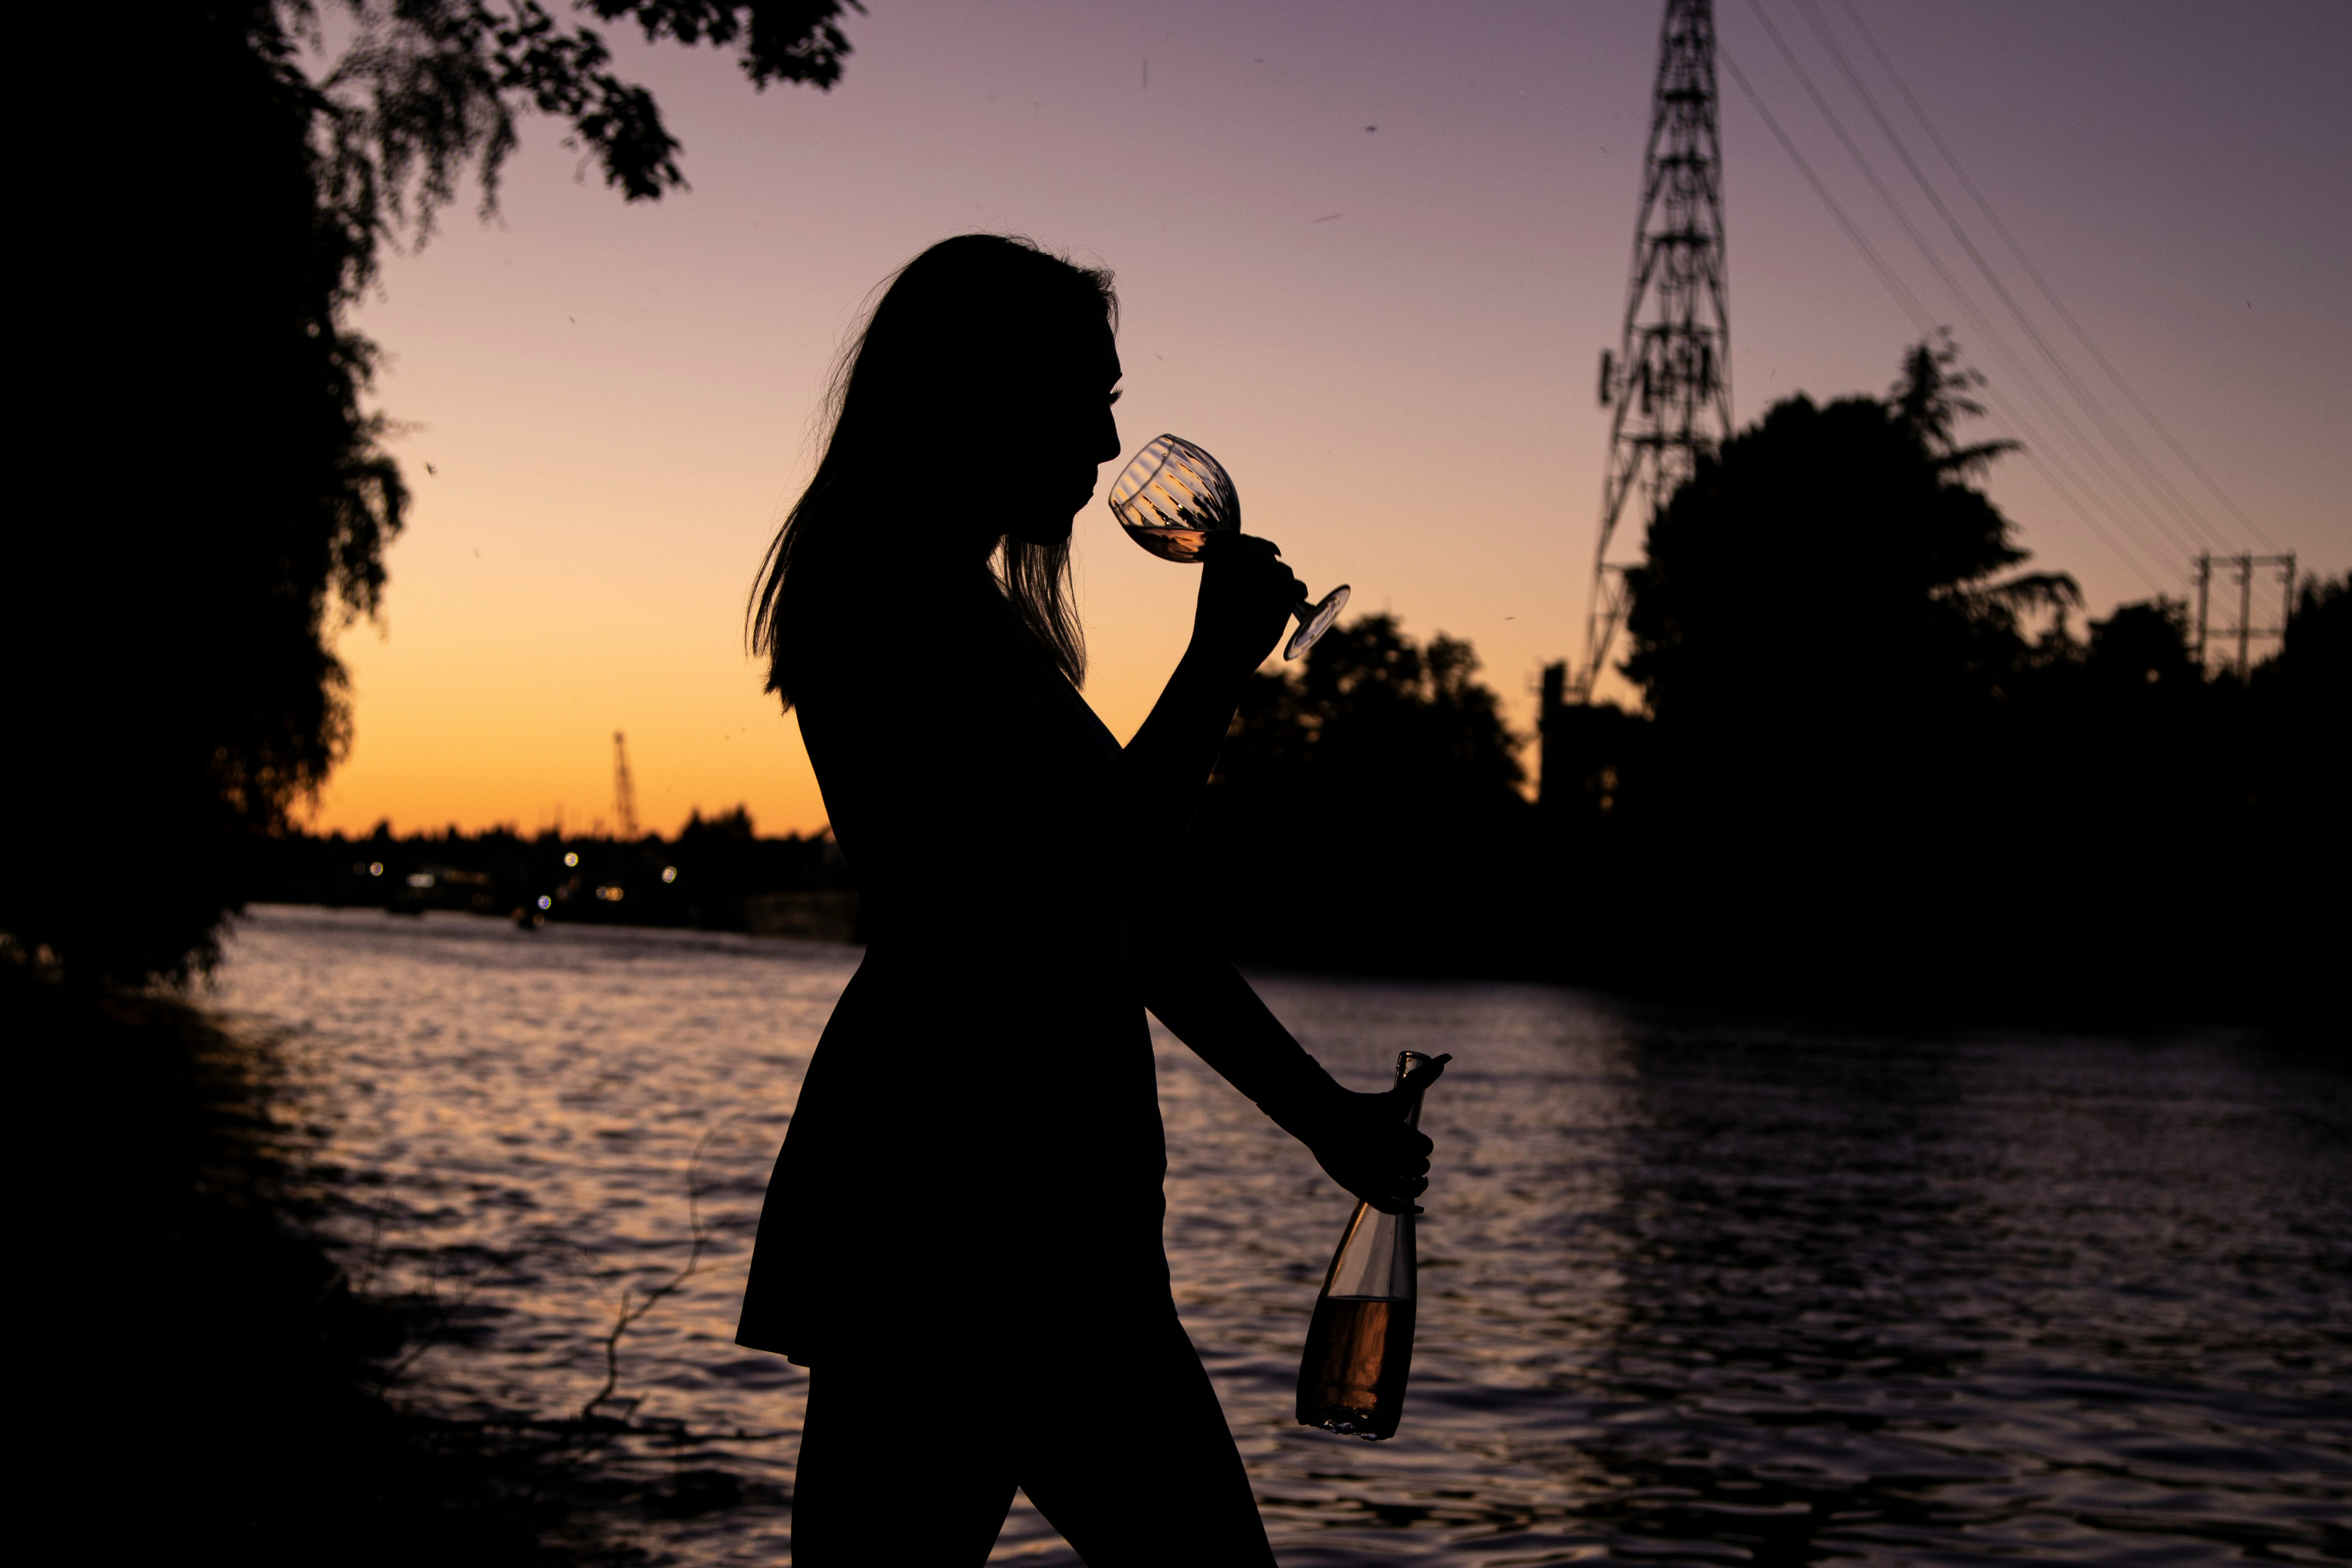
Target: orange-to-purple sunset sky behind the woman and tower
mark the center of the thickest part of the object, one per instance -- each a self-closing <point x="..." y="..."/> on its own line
<point x="1370" y="257"/>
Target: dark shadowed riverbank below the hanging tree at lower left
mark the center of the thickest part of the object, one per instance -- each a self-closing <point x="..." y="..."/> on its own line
<point x="206" y="1374"/>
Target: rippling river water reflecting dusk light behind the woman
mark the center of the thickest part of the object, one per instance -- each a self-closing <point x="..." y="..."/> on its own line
<point x="1695" y="1292"/>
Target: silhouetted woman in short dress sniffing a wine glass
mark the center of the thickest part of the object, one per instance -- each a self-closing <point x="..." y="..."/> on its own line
<point x="963" y="1233"/>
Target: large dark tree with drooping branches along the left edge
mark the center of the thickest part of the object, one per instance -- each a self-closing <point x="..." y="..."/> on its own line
<point x="206" y="495"/>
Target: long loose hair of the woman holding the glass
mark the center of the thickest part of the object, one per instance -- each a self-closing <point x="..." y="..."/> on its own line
<point x="949" y="342"/>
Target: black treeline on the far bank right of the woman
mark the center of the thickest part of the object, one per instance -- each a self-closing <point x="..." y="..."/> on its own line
<point x="1876" y="770"/>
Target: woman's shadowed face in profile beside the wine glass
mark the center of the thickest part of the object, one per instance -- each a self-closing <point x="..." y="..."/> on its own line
<point x="1062" y="431"/>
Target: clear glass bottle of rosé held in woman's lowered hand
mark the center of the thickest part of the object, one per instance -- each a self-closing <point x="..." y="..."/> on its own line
<point x="1361" y="1343"/>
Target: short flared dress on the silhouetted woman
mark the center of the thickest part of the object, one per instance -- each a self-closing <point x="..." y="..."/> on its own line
<point x="975" y="1165"/>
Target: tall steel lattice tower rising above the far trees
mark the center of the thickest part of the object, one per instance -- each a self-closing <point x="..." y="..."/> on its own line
<point x="1671" y="375"/>
